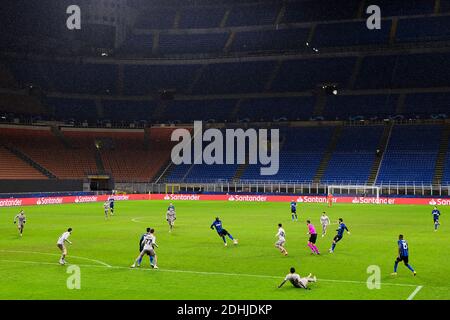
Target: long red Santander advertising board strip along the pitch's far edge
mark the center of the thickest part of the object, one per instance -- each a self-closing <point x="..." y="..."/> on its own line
<point x="17" y="202"/>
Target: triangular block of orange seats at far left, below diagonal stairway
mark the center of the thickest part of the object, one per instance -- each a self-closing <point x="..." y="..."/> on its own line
<point x="13" y="167"/>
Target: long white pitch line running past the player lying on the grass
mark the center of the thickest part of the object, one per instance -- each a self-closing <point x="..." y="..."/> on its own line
<point x="207" y="273"/>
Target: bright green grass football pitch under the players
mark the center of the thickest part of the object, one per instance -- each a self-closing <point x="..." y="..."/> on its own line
<point x="194" y="264"/>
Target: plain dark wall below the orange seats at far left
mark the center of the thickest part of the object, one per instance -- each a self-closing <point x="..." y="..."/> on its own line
<point x="16" y="186"/>
